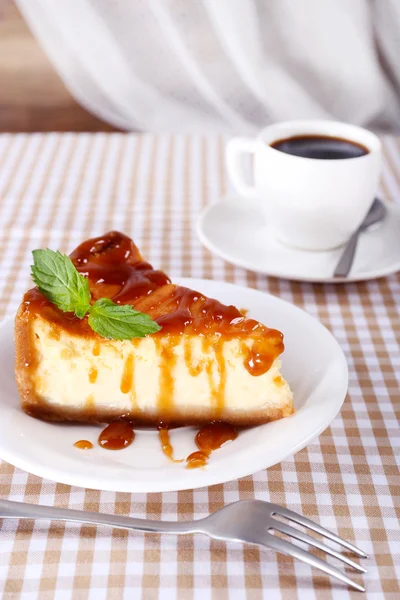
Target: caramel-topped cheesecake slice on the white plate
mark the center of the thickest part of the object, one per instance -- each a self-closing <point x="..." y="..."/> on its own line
<point x="208" y="362"/>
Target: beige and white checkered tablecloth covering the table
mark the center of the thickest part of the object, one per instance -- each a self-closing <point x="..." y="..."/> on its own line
<point x="56" y="190"/>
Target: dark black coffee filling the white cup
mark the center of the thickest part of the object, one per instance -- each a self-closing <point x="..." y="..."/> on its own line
<point x="320" y="146"/>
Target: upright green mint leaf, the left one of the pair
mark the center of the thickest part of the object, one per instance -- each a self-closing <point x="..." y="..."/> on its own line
<point x="57" y="278"/>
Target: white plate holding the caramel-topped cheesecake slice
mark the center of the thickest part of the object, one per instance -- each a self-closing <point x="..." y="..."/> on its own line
<point x="313" y="363"/>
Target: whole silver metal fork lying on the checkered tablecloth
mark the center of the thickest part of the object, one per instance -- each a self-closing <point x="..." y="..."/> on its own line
<point x="249" y="521"/>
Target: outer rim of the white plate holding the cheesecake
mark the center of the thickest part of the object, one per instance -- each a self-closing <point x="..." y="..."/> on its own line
<point x="212" y="478"/>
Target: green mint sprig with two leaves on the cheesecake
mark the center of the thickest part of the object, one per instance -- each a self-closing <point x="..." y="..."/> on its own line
<point x="57" y="278"/>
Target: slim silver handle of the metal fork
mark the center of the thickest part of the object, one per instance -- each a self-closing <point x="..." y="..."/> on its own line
<point x="22" y="510"/>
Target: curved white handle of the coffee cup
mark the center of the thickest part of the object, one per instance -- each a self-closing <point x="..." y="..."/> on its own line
<point x="234" y="152"/>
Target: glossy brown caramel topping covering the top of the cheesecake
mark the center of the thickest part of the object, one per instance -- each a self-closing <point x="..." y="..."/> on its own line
<point x="116" y="270"/>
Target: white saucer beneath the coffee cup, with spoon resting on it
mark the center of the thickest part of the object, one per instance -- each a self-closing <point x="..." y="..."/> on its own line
<point x="235" y="229"/>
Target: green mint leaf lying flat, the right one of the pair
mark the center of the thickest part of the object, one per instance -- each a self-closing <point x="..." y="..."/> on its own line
<point x="119" y="322"/>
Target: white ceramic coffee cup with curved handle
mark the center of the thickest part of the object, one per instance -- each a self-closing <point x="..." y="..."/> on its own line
<point x="309" y="203"/>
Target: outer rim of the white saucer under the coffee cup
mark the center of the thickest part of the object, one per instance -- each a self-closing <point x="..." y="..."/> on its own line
<point x="244" y="264"/>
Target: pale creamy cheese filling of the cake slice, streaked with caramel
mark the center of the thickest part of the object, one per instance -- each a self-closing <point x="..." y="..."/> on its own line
<point x="151" y="374"/>
